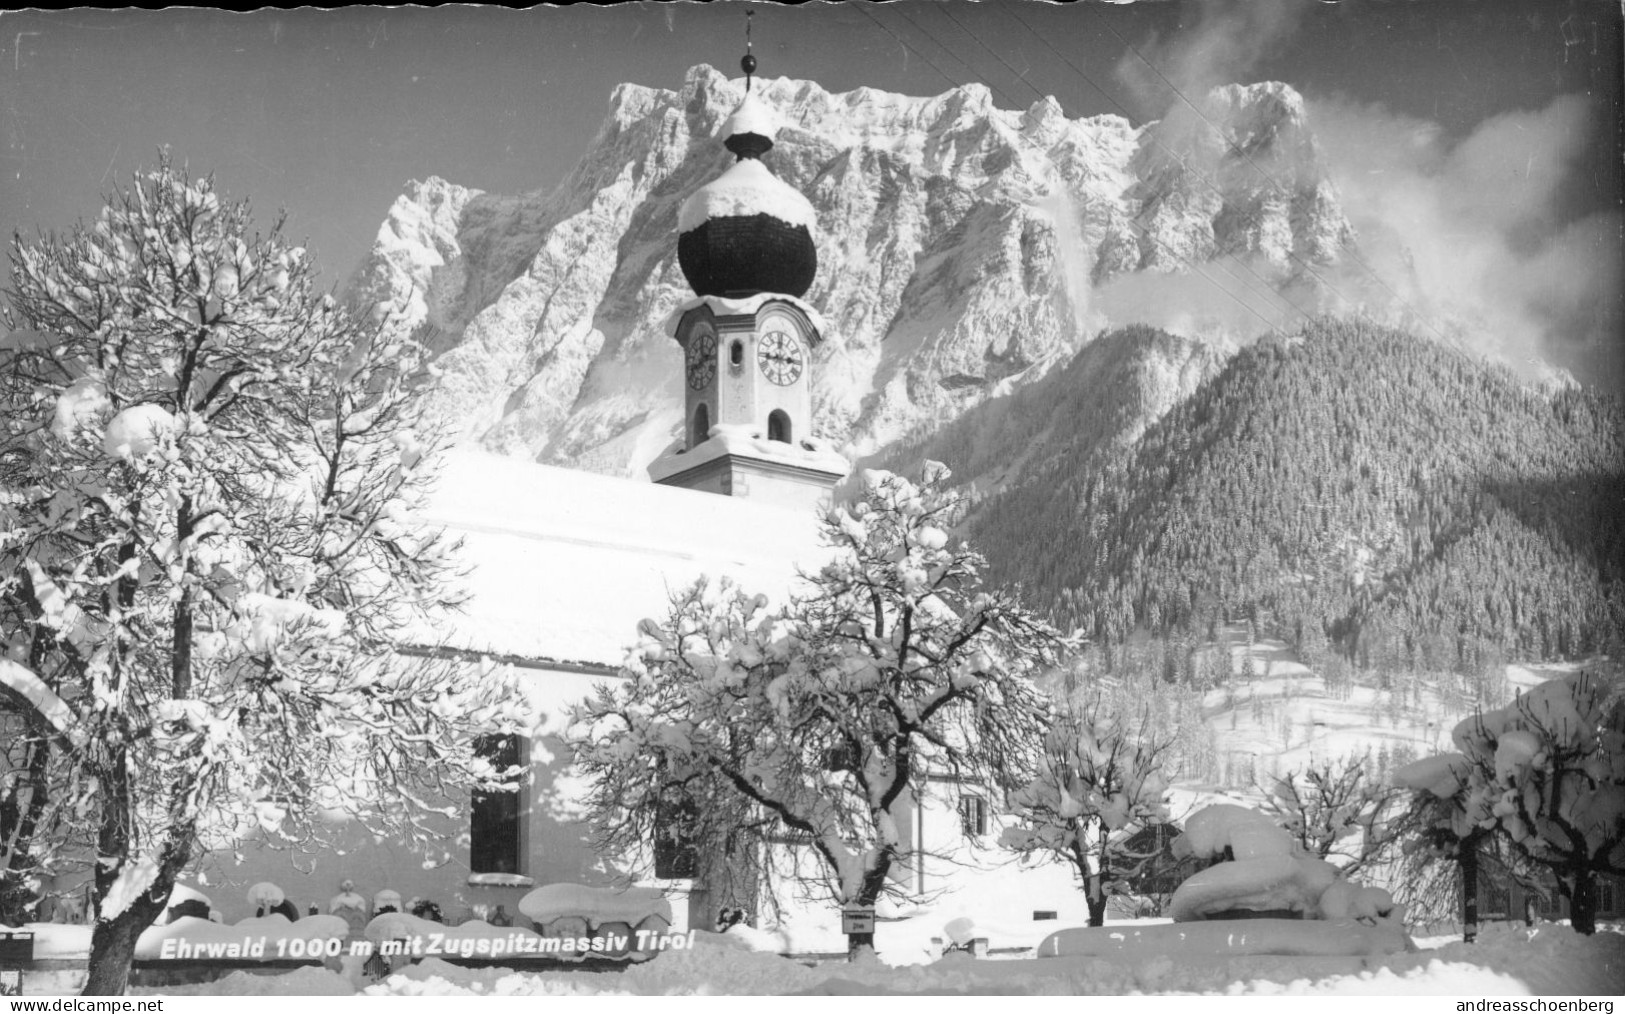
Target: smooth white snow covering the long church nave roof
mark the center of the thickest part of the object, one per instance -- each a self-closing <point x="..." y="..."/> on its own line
<point x="565" y="565"/>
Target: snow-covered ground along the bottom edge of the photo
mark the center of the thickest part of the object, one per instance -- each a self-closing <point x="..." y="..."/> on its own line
<point x="1507" y="961"/>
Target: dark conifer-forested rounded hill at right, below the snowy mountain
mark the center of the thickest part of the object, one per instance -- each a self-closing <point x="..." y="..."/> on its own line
<point x="1351" y="488"/>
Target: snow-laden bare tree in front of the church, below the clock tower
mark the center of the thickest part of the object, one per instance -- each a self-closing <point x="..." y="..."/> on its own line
<point x="817" y="721"/>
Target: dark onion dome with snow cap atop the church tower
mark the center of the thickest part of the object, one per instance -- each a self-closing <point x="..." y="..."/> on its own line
<point x="748" y="232"/>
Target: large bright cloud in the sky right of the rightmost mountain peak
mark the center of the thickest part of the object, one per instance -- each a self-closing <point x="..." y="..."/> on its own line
<point x="1473" y="233"/>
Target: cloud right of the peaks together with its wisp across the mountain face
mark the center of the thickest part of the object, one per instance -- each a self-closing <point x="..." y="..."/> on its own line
<point x="1473" y="240"/>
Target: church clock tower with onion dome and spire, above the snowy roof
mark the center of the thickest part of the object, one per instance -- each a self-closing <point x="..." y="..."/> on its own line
<point x="745" y="245"/>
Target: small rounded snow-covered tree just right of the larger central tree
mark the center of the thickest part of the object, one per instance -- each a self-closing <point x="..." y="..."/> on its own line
<point x="1099" y="782"/>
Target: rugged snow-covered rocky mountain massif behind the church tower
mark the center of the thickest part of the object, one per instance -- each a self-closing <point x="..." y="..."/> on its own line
<point x="958" y="245"/>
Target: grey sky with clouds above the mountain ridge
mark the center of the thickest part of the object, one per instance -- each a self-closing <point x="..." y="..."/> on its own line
<point x="1476" y="142"/>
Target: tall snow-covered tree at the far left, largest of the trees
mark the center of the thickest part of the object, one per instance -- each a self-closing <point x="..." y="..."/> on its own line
<point x="206" y="475"/>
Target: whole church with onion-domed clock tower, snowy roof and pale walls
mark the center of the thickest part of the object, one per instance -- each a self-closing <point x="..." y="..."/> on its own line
<point x="565" y="565"/>
